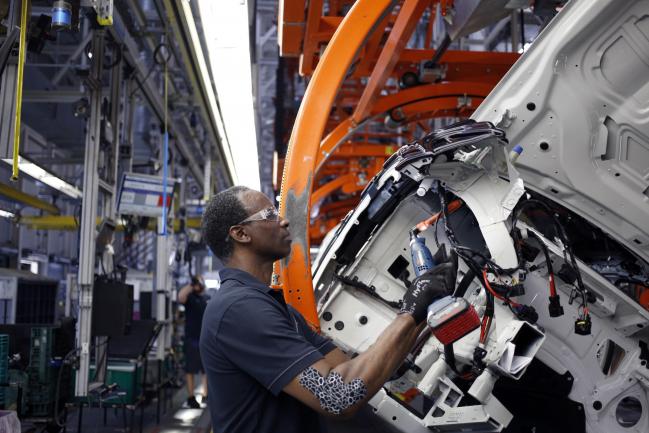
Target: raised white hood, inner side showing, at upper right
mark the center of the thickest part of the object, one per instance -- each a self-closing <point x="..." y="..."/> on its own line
<point x="578" y="103"/>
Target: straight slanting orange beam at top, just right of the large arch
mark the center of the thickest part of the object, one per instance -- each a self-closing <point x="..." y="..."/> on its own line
<point x="409" y="15"/>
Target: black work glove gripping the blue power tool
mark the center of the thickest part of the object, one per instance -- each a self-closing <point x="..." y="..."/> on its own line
<point x="430" y="286"/>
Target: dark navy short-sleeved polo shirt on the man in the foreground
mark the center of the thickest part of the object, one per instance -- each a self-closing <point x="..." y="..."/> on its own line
<point x="252" y="345"/>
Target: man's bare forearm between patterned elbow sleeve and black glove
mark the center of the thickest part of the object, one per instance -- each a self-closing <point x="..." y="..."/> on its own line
<point x="375" y="365"/>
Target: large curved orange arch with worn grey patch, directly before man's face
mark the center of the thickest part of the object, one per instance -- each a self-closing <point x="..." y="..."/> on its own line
<point x="305" y="141"/>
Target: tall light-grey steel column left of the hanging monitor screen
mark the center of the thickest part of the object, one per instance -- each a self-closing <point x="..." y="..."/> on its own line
<point x="89" y="215"/>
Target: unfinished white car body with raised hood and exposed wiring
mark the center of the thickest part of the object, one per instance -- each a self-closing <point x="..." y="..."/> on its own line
<point x="578" y="103"/>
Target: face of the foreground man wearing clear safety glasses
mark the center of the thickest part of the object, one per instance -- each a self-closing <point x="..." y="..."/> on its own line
<point x="269" y="238"/>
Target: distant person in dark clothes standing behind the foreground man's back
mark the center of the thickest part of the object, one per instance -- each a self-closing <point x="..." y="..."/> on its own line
<point x="193" y="297"/>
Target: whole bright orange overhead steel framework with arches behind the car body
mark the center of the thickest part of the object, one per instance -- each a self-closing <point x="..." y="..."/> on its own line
<point x="356" y="109"/>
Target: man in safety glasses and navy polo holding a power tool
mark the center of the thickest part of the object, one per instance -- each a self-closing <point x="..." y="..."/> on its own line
<point x="267" y="370"/>
